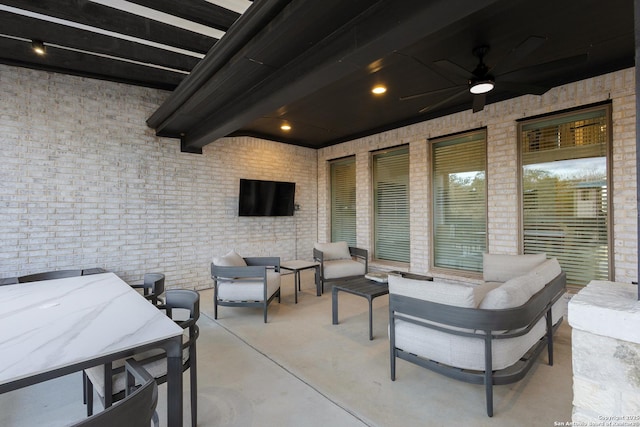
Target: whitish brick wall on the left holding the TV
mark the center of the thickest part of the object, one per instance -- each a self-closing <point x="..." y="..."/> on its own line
<point x="84" y="182"/>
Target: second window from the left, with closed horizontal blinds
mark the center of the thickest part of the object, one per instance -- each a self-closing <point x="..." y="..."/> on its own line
<point x="391" y="204"/>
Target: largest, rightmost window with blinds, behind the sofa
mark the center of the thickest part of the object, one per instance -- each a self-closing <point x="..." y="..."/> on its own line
<point x="565" y="191"/>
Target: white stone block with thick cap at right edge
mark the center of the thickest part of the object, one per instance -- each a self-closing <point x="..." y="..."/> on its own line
<point x="605" y="353"/>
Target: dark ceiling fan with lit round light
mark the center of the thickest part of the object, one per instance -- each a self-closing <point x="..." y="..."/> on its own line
<point x="483" y="79"/>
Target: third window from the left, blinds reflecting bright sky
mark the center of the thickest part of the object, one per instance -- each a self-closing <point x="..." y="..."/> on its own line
<point x="459" y="201"/>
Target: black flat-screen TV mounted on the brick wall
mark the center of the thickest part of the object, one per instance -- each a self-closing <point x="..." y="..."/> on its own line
<point x="266" y="198"/>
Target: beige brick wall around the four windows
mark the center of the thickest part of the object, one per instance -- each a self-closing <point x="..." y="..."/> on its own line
<point x="502" y="168"/>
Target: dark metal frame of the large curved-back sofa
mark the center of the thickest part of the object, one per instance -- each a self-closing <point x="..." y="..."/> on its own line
<point x="491" y="323"/>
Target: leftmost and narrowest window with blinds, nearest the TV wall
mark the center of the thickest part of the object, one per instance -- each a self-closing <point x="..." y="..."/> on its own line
<point x="343" y="200"/>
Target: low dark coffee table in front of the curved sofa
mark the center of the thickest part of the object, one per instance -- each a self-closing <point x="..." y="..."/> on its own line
<point x="363" y="287"/>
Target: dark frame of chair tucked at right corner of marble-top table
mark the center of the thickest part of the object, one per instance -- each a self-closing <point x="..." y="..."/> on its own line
<point x="186" y="299"/>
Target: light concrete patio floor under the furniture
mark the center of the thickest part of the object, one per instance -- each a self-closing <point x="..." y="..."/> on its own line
<point x="299" y="369"/>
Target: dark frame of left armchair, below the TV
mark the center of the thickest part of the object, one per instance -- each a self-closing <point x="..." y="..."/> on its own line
<point x="256" y="269"/>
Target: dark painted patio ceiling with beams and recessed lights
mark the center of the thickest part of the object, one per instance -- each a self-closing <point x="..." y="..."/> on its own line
<point x="312" y="64"/>
